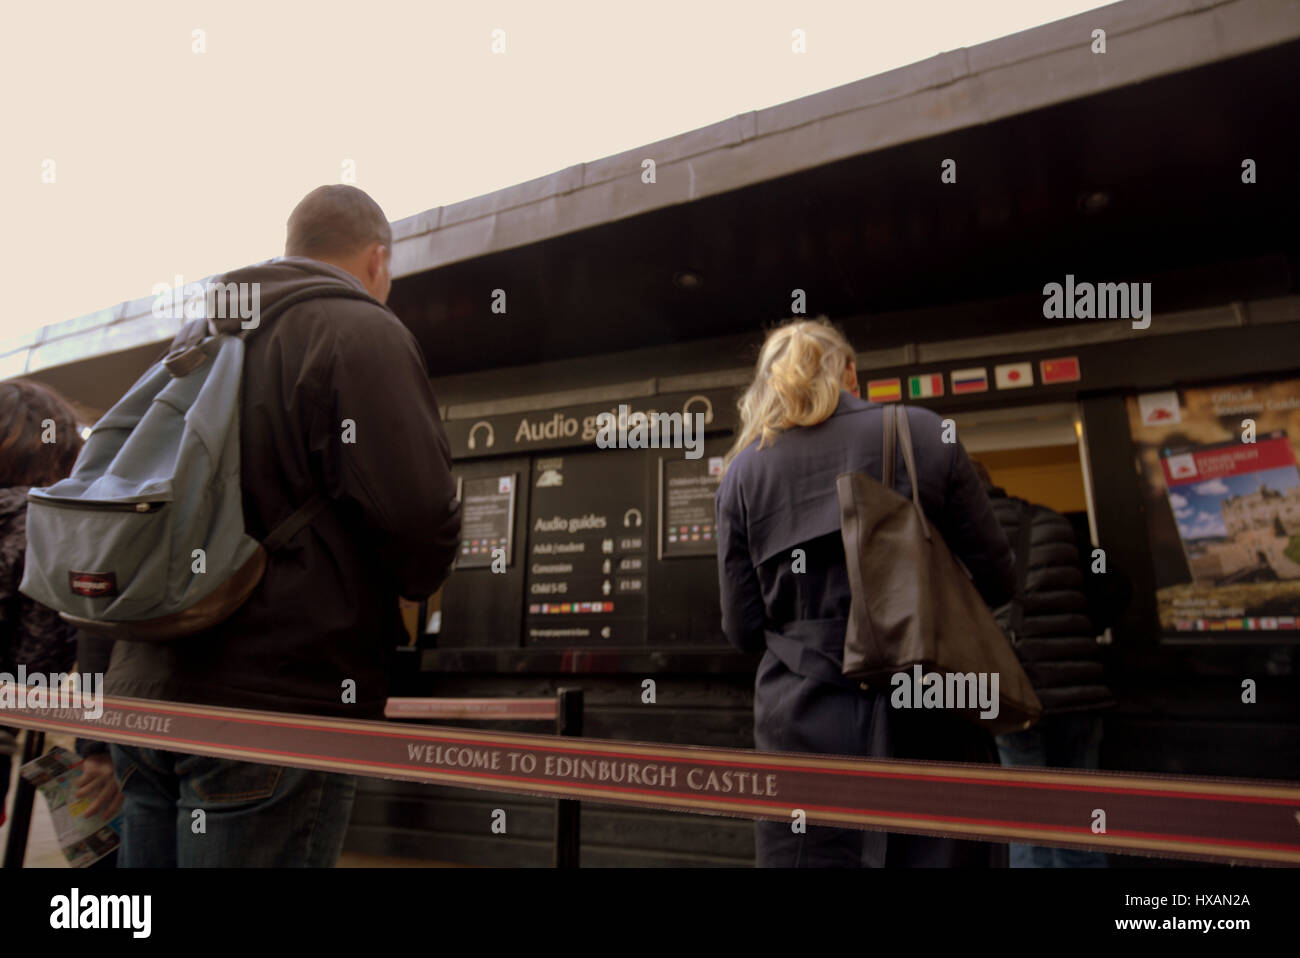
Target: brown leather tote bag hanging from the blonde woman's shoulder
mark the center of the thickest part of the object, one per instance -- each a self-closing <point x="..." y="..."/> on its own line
<point x="915" y="602"/>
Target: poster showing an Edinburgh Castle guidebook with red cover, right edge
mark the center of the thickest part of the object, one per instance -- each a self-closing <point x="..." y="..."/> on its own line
<point x="1221" y="491"/>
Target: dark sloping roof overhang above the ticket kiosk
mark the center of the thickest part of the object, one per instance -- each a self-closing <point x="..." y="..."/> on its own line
<point x="839" y="194"/>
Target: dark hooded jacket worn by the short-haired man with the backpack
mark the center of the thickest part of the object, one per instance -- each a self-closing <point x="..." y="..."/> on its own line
<point x="327" y="612"/>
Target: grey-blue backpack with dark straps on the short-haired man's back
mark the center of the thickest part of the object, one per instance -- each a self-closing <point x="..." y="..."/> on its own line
<point x="146" y="539"/>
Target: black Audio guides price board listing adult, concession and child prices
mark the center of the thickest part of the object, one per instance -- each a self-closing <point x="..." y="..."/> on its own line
<point x="588" y="550"/>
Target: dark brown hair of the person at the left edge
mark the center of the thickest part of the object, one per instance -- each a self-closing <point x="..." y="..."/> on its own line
<point x="40" y="440"/>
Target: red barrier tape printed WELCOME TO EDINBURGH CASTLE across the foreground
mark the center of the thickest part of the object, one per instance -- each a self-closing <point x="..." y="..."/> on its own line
<point x="1198" y="818"/>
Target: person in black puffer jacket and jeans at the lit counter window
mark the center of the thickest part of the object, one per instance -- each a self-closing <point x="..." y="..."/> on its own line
<point x="1055" y="638"/>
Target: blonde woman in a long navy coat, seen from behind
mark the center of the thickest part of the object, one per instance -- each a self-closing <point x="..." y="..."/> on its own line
<point x="803" y="424"/>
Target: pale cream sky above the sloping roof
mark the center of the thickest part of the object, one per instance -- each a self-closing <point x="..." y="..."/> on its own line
<point x="171" y="162"/>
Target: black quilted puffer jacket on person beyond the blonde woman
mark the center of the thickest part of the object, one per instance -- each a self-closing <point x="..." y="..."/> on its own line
<point x="1056" y="639"/>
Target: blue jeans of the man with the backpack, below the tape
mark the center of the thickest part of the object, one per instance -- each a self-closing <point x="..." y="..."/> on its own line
<point x="254" y="816"/>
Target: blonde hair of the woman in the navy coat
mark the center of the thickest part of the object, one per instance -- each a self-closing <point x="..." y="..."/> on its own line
<point x="798" y="382"/>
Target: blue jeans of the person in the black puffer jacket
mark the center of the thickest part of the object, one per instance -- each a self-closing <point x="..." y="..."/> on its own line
<point x="1059" y="742"/>
